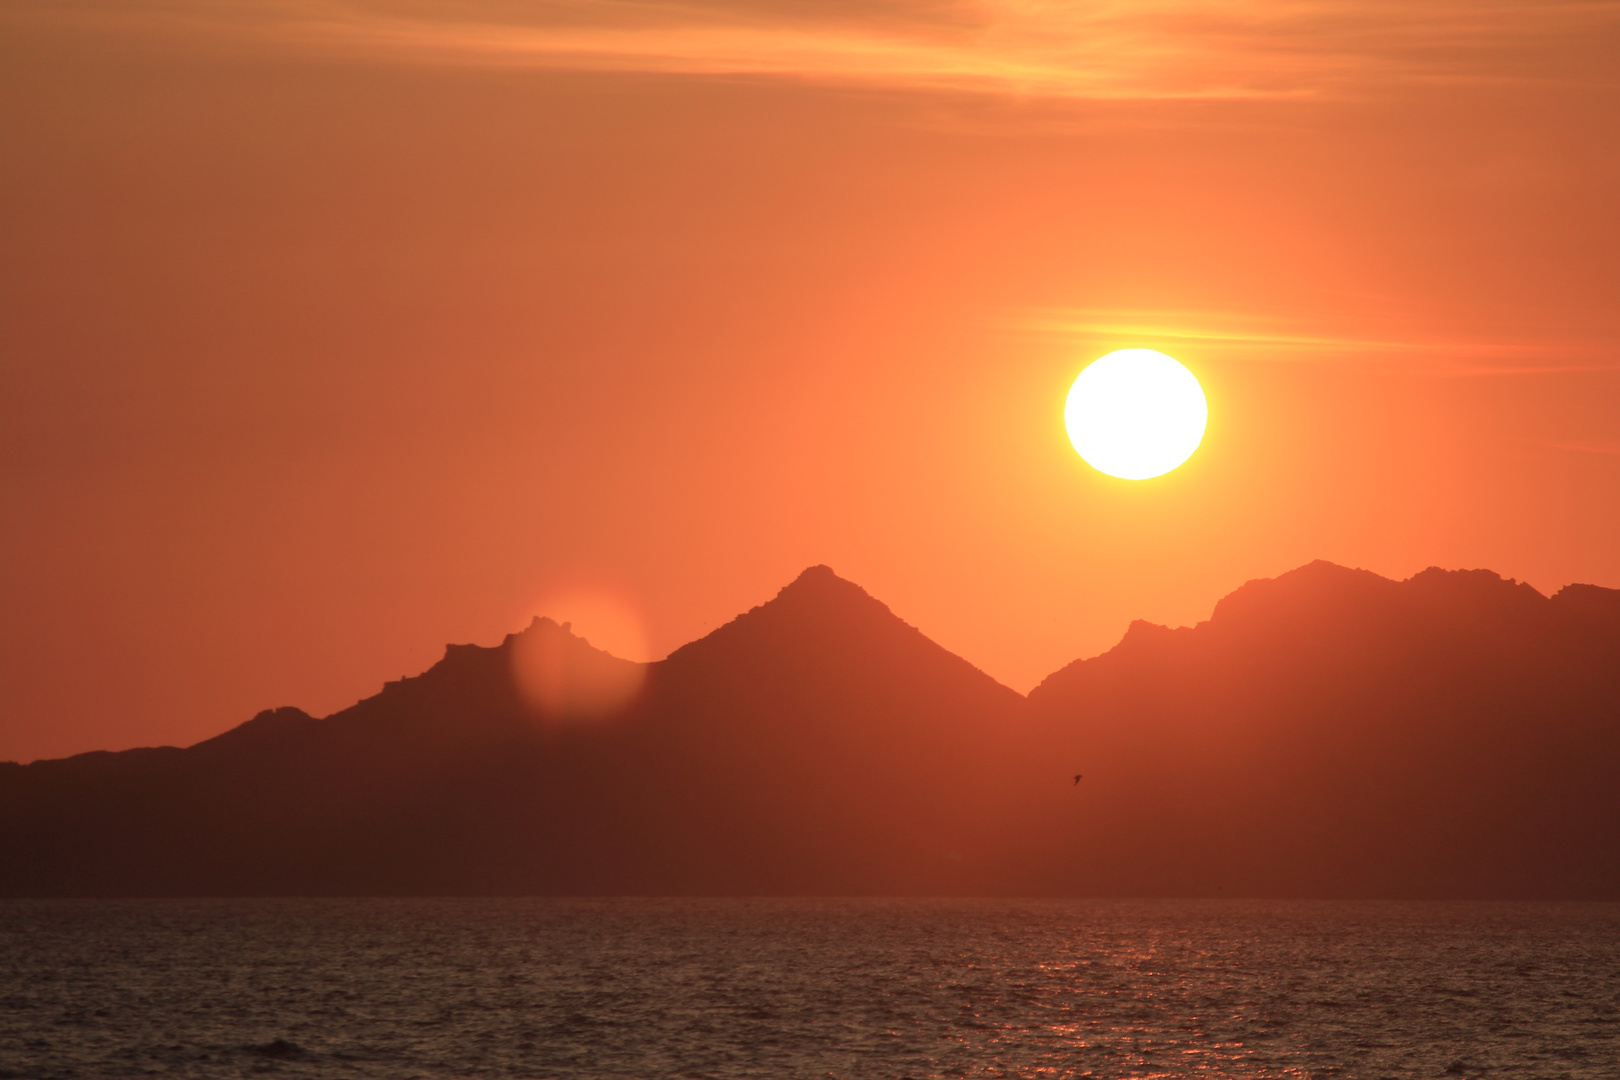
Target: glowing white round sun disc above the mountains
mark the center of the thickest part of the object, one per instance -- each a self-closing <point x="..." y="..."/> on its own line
<point x="1136" y="414"/>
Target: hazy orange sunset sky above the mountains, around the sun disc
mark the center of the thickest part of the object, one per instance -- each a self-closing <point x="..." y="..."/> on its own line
<point x="331" y="333"/>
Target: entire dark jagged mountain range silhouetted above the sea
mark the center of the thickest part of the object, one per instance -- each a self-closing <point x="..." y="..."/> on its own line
<point x="1324" y="734"/>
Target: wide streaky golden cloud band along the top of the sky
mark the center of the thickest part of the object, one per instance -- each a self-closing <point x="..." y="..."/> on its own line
<point x="1151" y="49"/>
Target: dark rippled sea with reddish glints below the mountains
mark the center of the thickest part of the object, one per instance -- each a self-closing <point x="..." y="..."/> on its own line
<point x="808" y="989"/>
